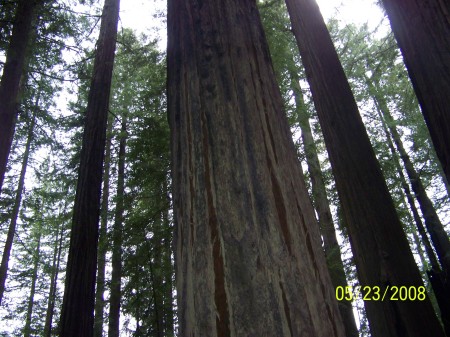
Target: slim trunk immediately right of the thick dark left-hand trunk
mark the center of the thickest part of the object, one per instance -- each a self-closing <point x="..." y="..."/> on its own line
<point x="103" y="240"/>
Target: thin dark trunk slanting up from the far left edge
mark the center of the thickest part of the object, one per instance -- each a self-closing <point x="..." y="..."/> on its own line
<point x="15" y="212"/>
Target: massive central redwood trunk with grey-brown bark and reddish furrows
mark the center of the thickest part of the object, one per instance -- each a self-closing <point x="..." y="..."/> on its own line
<point x="248" y="254"/>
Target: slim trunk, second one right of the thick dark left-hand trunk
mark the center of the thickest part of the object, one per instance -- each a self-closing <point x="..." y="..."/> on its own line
<point x="116" y="274"/>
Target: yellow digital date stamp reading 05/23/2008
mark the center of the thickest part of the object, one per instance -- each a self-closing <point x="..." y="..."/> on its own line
<point x="376" y="293"/>
